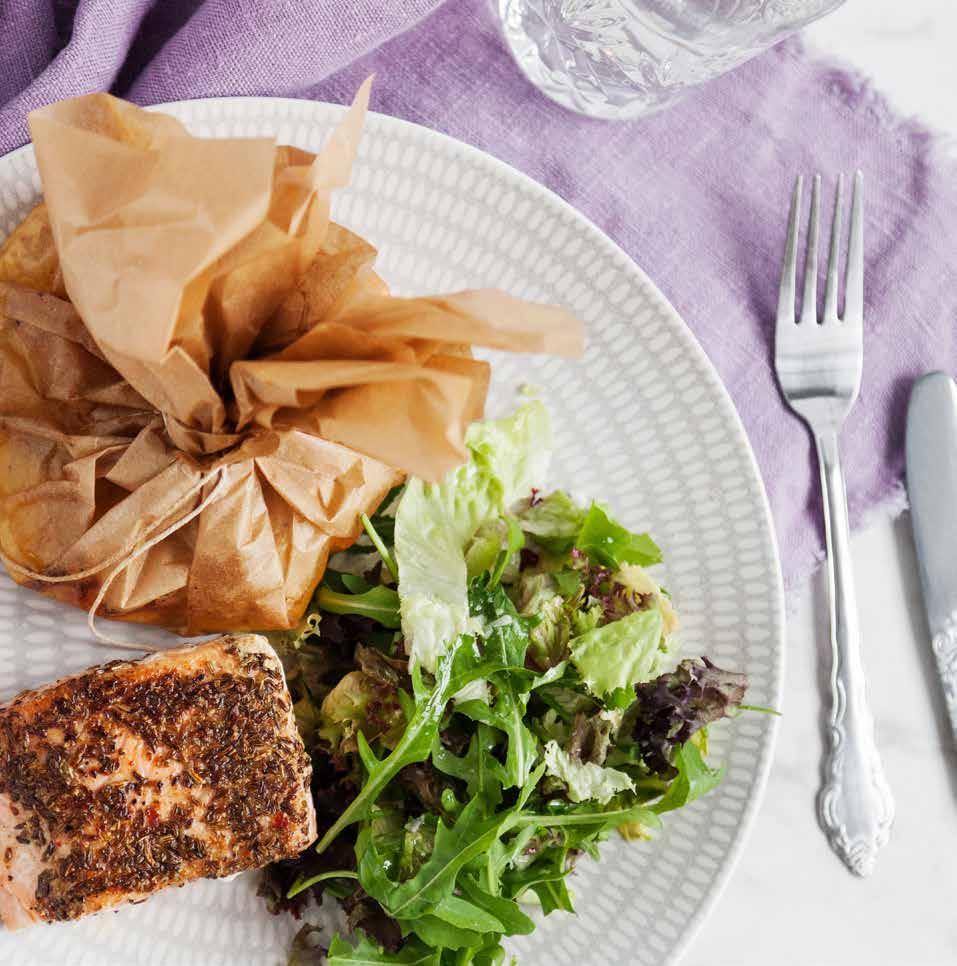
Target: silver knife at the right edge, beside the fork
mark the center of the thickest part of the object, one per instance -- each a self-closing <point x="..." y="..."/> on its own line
<point x="932" y="489"/>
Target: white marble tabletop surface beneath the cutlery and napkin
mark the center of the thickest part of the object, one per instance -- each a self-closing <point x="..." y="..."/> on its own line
<point x="790" y="902"/>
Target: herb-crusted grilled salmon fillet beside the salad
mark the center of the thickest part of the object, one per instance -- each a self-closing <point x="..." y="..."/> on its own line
<point x="134" y="776"/>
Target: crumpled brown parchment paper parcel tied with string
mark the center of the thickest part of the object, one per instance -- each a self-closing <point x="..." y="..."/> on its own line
<point x="203" y="382"/>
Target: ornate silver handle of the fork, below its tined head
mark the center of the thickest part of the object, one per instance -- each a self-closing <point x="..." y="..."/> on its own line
<point x="855" y="804"/>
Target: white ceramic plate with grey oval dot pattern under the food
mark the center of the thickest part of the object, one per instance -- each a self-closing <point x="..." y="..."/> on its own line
<point x="643" y="422"/>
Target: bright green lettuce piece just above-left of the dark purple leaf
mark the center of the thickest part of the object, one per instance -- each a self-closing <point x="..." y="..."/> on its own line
<point x="619" y="655"/>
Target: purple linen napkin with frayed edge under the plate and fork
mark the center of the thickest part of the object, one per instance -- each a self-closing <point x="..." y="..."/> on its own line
<point x="697" y="195"/>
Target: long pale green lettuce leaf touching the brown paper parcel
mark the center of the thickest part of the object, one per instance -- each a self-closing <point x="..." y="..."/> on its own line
<point x="435" y="524"/>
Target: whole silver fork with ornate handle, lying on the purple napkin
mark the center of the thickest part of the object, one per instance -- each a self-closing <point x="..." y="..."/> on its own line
<point x="818" y="362"/>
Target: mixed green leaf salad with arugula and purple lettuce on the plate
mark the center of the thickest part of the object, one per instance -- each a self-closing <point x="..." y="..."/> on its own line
<point x="488" y="686"/>
